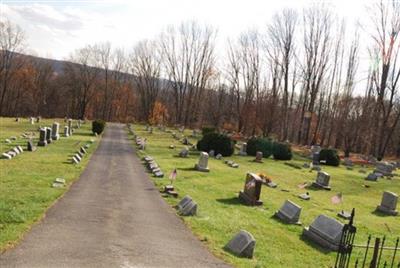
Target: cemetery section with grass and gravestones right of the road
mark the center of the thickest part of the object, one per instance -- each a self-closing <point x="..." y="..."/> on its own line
<point x="248" y="223"/>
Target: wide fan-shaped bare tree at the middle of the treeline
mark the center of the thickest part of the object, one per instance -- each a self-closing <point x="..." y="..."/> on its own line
<point x="189" y="61"/>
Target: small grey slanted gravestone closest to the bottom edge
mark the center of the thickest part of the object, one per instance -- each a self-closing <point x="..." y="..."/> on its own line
<point x="242" y="244"/>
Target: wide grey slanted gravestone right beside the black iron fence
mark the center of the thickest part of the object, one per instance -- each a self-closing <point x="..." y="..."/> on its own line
<point x="325" y="231"/>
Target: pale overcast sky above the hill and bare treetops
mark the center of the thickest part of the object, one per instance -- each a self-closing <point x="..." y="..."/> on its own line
<point x="55" y="28"/>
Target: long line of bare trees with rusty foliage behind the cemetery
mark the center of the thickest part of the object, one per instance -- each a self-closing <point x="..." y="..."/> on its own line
<point x="297" y="80"/>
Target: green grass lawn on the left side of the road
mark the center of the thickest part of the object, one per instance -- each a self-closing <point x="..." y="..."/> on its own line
<point x="25" y="180"/>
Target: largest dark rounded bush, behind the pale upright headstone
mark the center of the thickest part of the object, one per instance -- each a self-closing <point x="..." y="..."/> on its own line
<point x="221" y="144"/>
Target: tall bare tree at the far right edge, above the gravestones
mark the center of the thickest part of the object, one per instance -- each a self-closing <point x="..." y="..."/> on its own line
<point x="386" y="46"/>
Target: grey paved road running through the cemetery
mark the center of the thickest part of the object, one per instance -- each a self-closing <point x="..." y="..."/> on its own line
<point x="113" y="216"/>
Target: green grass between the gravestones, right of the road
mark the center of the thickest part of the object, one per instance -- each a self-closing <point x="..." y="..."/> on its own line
<point x="221" y="215"/>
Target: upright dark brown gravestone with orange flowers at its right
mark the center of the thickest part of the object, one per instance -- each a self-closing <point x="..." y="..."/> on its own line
<point x="252" y="190"/>
